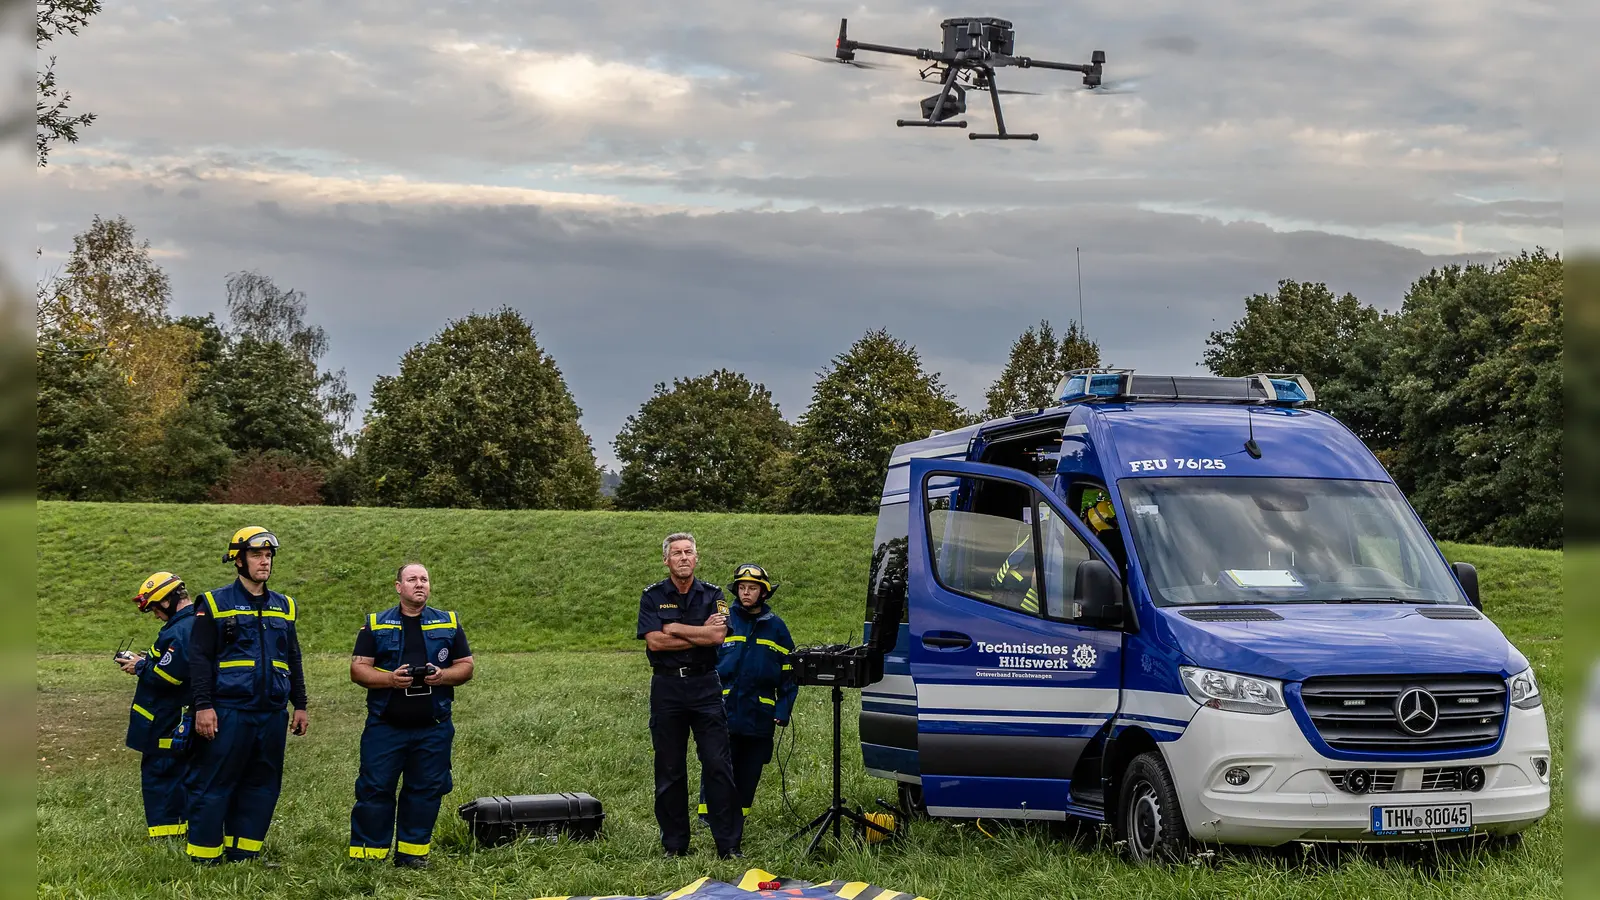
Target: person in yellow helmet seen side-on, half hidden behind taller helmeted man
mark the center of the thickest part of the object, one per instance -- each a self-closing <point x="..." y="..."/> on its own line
<point x="156" y="721"/>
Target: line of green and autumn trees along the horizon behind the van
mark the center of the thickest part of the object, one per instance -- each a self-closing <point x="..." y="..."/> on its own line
<point x="1458" y="393"/>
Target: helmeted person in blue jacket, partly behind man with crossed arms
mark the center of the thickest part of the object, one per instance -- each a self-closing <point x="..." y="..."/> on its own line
<point x="758" y="681"/>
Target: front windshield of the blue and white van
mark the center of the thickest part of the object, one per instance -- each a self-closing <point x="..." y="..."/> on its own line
<point x="1255" y="540"/>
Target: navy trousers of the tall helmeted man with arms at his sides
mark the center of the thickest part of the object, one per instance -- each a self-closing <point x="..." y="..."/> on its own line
<point x="234" y="784"/>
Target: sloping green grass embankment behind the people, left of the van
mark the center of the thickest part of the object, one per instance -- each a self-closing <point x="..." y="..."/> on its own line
<point x="522" y="581"/>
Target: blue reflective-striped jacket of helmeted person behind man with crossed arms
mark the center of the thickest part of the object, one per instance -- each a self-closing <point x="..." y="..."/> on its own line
<point x="758" y="681"/>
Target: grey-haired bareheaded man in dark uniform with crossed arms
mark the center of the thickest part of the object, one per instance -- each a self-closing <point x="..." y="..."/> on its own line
<point x="681" y="625"/>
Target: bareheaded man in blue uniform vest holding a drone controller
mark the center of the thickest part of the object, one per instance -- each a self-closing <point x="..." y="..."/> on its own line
<point x="410" y="661"/>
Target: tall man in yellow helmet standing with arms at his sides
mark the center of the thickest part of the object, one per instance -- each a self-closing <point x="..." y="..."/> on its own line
<point x="246" y="669"/>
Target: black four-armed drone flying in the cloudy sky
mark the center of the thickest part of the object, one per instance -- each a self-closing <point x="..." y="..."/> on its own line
<point x="974" y="49"/>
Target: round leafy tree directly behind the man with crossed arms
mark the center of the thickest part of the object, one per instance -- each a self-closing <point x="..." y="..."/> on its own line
<point x="708" y="444"/>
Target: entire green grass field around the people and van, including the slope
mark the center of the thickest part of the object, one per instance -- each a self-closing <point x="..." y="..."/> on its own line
<point x="561" y="705"/>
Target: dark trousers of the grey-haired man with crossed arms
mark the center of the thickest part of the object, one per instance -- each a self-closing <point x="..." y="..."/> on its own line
<point x="678" y="709"/>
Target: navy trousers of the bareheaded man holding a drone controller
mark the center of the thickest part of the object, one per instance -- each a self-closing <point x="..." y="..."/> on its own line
<point x="423" y="758"/>
